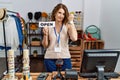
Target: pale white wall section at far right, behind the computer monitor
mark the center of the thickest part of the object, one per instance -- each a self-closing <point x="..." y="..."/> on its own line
<point x="110" y="25"/>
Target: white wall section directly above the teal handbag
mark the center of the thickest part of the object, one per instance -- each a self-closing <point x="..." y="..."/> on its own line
<point x="91" y="12"/>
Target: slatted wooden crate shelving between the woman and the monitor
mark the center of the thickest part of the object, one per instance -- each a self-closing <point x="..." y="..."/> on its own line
<point x="76" y="51"/>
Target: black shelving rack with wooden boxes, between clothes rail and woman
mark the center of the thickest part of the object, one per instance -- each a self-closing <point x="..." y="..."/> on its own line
<point x="34" y="34"/>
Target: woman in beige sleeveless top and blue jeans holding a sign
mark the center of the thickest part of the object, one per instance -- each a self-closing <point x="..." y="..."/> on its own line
<point x="56" y="39"/>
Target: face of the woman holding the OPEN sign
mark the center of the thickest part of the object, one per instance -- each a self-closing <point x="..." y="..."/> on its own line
<point x="60" y="15"/>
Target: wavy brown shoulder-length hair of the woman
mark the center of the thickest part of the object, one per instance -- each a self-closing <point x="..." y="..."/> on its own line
<point x="56" y="8"/>
